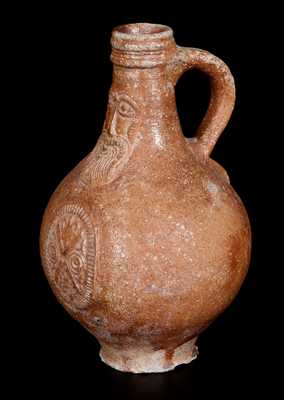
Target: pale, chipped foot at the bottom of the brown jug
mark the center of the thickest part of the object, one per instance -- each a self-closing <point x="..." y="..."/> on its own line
<point x="145" y="360"/>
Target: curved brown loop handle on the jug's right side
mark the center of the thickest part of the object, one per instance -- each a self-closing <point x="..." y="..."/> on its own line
<point x="222" y="94"/>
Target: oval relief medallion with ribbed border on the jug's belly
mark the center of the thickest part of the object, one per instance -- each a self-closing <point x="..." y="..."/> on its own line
<point x="69" y="256"/>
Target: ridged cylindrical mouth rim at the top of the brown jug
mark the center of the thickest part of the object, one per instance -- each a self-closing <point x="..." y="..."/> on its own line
<point x="142" y="45"/>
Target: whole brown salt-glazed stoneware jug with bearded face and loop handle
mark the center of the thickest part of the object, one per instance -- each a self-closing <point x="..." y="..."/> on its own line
<point x="145" y="242"/>
